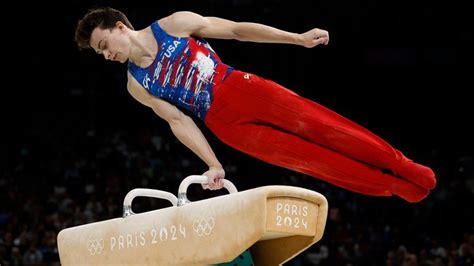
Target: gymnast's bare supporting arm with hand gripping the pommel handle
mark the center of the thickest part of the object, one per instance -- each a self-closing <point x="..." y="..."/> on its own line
<point x="184" y="129"/>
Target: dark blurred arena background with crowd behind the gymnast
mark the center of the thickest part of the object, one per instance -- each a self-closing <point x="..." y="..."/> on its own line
<point x="74" y="142"/>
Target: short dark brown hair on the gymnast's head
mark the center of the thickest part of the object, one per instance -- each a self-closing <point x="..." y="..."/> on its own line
<point x="104" y="18"/>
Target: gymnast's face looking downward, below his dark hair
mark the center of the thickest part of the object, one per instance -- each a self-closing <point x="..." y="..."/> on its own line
<point x="113" y="43"/>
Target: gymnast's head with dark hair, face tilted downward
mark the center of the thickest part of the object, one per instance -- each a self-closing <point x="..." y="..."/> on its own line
<point x="107" y="31"/>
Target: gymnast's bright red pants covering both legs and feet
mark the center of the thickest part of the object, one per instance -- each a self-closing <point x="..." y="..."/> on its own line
<point x="269" y="122"/>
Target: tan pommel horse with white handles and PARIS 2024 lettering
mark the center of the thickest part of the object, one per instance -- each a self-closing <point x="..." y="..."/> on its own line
<point x="275" y="222"/>
